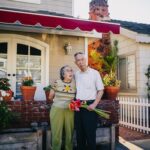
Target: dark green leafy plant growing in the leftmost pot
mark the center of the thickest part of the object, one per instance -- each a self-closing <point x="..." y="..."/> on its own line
<point x="4" y="84"/>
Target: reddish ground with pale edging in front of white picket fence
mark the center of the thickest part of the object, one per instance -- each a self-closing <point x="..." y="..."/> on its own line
<point x="133" y="139"/>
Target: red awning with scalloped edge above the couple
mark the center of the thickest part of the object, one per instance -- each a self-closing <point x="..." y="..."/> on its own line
<point x="50" y="21"/>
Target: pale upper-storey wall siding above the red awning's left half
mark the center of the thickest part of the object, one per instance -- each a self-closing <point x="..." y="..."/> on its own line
<point x="59" y="6"/>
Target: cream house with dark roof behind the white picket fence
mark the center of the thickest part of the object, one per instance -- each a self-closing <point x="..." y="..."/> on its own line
<point x="134" y="57"/>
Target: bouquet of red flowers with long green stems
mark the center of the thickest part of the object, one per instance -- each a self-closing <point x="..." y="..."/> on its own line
<point x="75" y="105"/>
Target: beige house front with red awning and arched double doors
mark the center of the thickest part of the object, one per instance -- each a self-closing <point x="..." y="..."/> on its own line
<point x="33" y="37"/>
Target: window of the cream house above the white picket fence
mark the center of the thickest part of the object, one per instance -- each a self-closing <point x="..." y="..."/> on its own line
<point x="127" y="72"/>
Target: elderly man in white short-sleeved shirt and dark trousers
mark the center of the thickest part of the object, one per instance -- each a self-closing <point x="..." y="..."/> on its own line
<point x="90" y="90"/>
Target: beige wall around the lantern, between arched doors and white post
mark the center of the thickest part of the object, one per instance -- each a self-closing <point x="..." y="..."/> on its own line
<point x="57" y="55"/>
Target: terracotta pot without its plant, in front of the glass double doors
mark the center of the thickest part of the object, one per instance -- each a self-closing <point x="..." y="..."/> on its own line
<point x="28" y="92"/>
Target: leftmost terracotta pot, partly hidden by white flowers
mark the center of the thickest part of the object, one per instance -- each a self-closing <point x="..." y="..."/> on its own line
<point x="6" y="95"/>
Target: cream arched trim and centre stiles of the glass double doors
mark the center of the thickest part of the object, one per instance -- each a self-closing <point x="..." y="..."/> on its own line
<point x="12" y="40"/>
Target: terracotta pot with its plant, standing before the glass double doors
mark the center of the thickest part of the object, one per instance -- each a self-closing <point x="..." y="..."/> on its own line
<point x="27" y="88"/>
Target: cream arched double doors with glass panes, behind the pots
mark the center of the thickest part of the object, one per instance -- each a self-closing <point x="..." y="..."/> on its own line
<point x="19" y="58"/>
